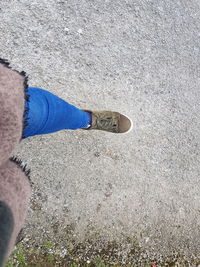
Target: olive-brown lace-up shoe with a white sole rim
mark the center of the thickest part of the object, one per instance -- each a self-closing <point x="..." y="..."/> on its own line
<point x="110" y="121"/>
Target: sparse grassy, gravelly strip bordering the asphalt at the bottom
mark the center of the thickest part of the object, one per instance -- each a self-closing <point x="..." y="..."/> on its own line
<point x="46" y="256"/>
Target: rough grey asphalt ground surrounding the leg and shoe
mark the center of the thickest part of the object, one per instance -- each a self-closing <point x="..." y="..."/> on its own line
<point x="141" y="58"/>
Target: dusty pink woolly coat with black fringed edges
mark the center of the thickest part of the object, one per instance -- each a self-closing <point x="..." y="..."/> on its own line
<point x="15" y="187"/>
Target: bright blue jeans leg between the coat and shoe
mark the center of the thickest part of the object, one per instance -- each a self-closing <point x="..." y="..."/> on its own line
<point x="48" y="113"/>
